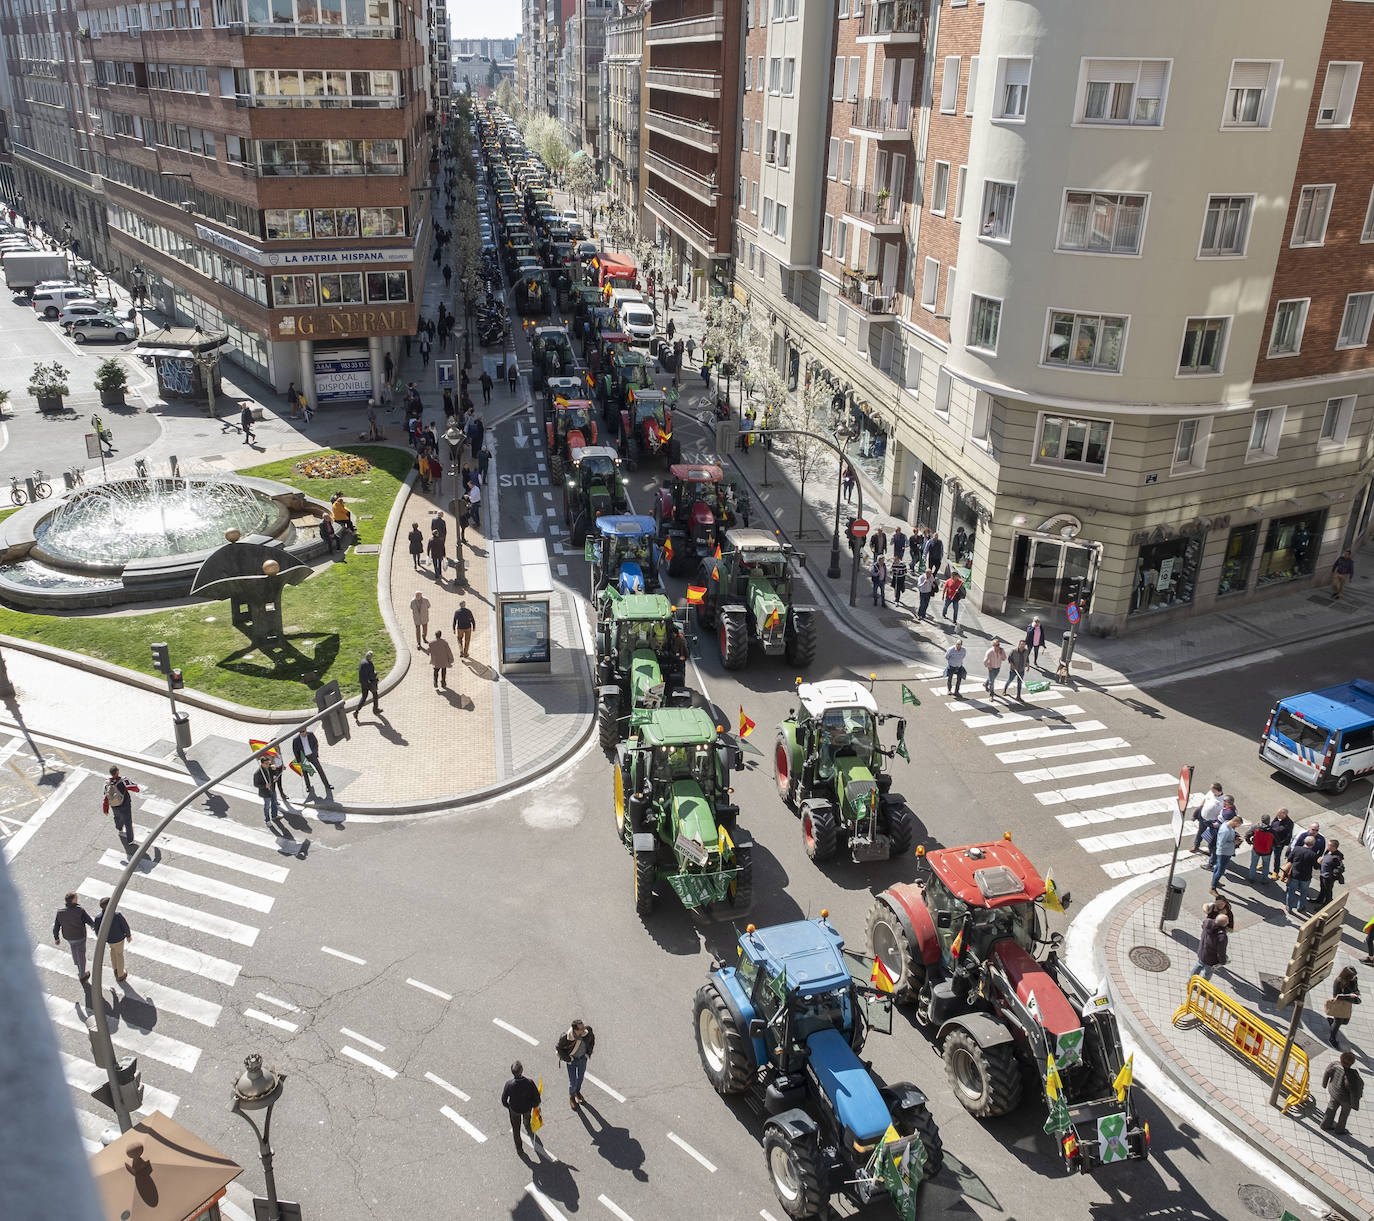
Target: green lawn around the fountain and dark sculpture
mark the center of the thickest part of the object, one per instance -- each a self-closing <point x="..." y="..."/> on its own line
<point x="330" y="620"/>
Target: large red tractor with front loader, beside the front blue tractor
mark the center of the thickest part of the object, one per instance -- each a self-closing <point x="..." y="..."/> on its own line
<point x="960" y="946"/>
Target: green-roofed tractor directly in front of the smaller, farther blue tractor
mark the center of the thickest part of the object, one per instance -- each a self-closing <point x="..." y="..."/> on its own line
<point x="641" y="661"/>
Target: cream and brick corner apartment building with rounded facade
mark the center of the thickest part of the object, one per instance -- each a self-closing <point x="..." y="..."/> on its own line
<point x="1094" y="296"/>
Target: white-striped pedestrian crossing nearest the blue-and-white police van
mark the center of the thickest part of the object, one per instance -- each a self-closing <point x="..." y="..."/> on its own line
<point x="1075" y="777"/>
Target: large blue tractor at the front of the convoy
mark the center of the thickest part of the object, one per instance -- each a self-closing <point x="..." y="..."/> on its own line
<point x="787" y="1027"/>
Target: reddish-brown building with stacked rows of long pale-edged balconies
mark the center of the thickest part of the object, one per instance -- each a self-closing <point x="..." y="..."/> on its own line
<point x="693" y="72"/>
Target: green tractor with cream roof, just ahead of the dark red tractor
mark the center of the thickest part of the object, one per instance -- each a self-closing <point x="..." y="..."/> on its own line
<point x="750" y="600"/>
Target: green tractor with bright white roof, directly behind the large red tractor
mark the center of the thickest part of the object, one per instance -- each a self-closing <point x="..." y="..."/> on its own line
<point x="828" y="764"/>
